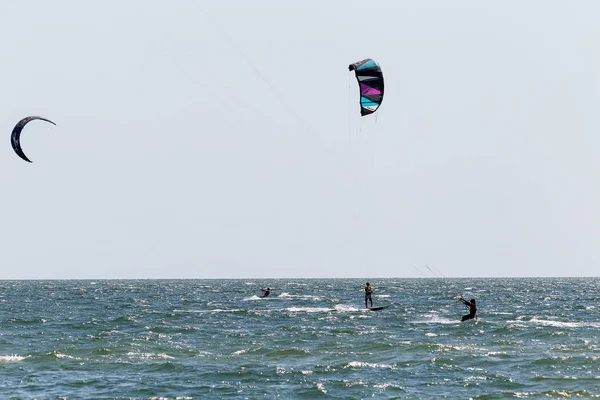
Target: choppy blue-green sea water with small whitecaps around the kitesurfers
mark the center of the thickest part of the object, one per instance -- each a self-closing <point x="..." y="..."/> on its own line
<point x="311" y="339"/>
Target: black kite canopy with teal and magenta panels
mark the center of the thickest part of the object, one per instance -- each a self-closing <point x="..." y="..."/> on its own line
<point x="370" y="80"/>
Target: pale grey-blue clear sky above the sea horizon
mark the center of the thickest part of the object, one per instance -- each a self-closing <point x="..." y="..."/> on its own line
<point x="201" y="139"/>
